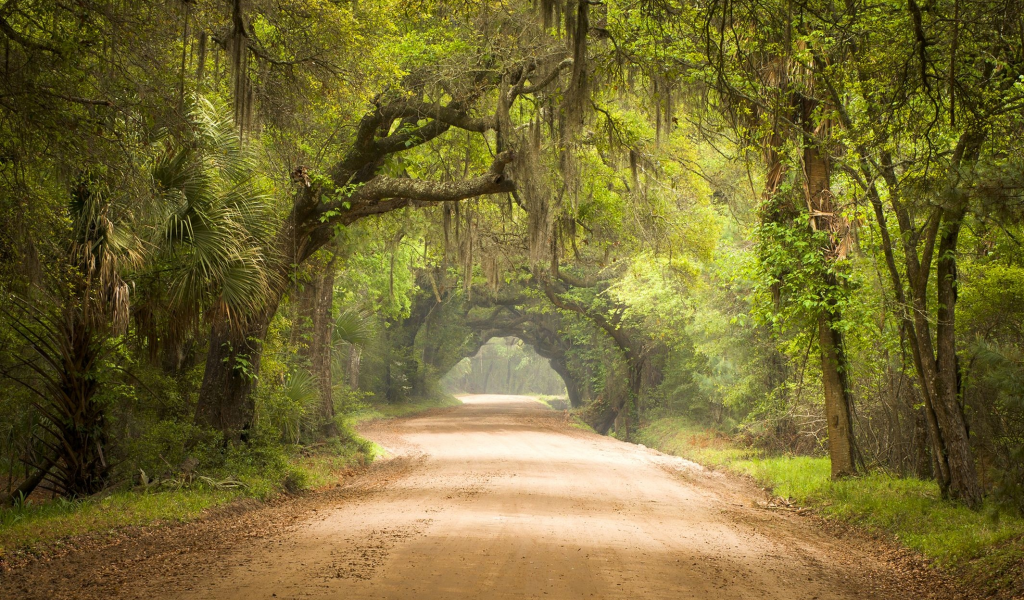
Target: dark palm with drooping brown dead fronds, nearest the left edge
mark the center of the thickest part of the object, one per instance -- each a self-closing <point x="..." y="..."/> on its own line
<point x="69" y="335"/>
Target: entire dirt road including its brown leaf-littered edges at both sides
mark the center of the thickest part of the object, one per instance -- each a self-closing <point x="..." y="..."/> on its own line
<point x="500" y="498"/>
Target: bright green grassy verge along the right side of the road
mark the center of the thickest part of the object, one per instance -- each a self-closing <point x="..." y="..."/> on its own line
<point x="985" y="549"/>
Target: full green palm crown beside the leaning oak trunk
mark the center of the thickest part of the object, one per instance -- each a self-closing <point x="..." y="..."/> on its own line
<point x="217" y="219"/>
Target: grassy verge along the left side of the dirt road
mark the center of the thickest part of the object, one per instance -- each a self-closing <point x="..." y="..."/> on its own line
<point x="259" y="474"/>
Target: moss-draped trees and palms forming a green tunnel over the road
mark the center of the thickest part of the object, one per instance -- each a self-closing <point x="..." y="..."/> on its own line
<point x="228" y="223"/>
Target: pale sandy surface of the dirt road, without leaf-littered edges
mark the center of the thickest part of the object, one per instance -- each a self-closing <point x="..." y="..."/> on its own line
<point x="508" y="503"/>
